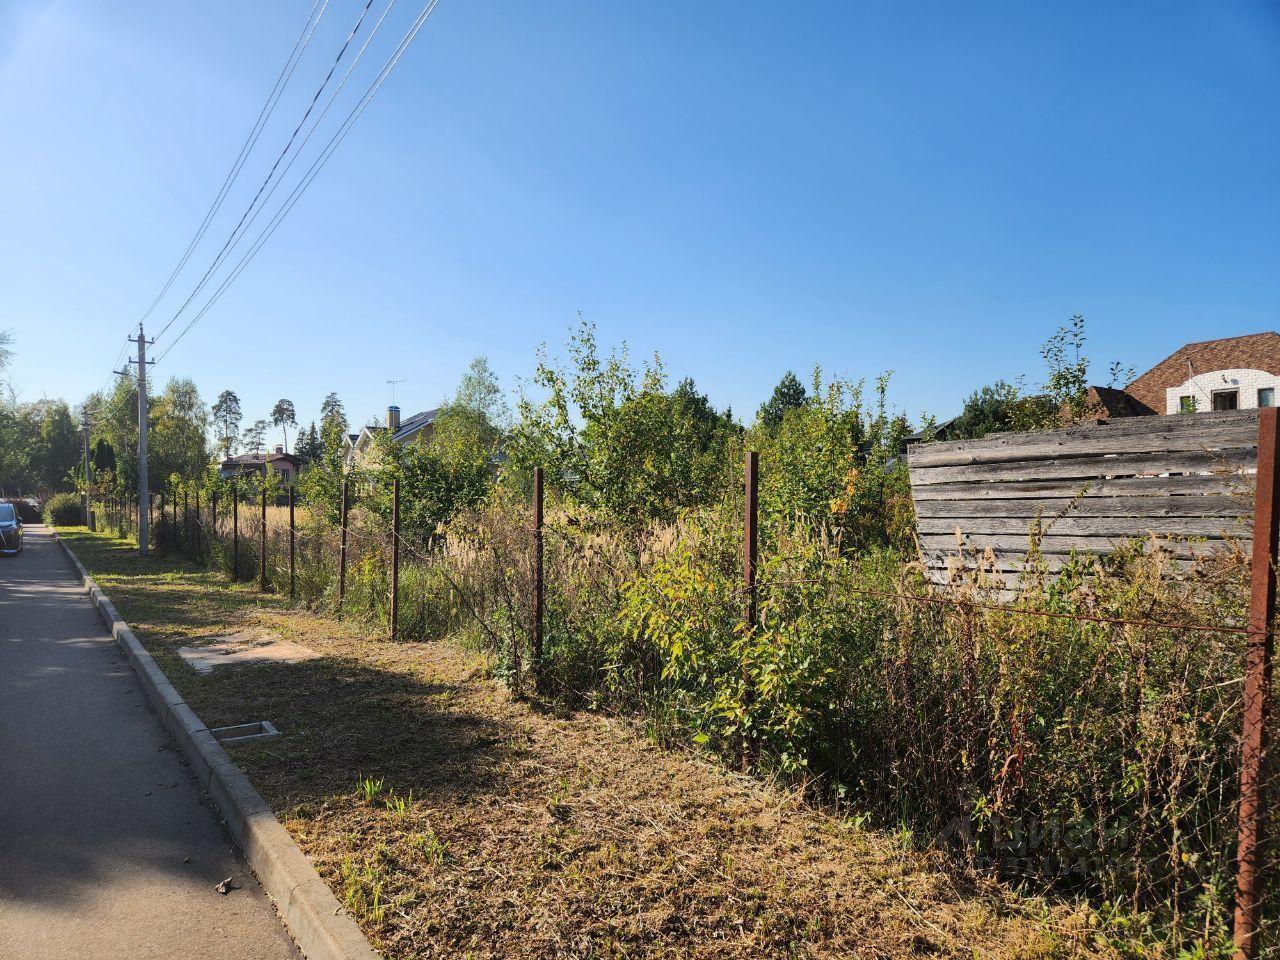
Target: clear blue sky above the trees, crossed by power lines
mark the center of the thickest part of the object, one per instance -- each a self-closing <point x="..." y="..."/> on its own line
<point x="921" y="188"/>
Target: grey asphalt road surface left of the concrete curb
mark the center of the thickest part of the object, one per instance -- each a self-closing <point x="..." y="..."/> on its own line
<point x="106" y="848"/>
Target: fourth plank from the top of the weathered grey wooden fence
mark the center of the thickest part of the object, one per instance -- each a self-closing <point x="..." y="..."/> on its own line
<point x="1148" y="506"/>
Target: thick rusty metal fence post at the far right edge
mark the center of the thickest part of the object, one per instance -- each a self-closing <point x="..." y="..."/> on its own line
<point x="1258" y="683"/>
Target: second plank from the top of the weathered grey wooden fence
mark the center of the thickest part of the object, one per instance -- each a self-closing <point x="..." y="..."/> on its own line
<point x="1087" y="468"/>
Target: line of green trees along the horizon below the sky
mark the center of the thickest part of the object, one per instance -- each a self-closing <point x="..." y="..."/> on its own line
<point x="619" y="436"/>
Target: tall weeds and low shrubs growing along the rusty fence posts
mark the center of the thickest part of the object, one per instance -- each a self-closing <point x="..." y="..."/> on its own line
<point x="1082" y="738"/>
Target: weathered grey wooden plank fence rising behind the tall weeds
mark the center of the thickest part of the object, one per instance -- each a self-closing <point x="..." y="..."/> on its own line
<point x="1186" y="482"/>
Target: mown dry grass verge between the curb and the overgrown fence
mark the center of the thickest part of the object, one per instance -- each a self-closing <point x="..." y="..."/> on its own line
<point x="455" y="821"/>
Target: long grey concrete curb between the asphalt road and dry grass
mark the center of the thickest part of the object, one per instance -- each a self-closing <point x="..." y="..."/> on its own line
<point x="310" y="911"/>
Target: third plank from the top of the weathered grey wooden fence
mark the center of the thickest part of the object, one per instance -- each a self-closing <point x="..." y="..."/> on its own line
<point x="1185" y="484"/>
